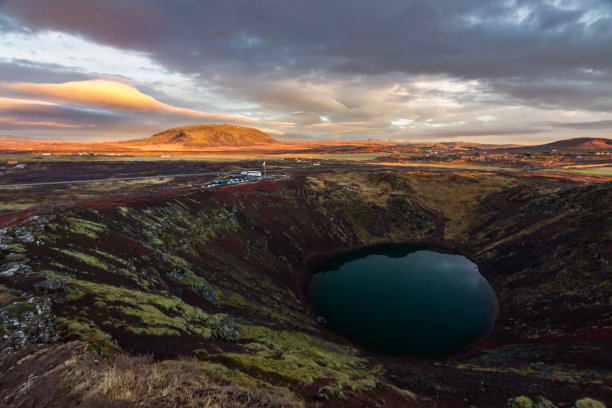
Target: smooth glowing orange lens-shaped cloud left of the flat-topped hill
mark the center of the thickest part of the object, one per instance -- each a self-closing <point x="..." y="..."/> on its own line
<point x="109" y="94"/>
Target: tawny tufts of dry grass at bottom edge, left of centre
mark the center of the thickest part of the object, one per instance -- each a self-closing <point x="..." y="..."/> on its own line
<point x="140" y="382"/>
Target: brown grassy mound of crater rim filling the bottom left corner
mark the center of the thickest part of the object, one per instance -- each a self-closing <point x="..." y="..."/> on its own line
<point x="68" y="376"/>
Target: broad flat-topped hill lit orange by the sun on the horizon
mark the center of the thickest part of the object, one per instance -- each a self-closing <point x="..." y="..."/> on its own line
<point x="207" y="136"/>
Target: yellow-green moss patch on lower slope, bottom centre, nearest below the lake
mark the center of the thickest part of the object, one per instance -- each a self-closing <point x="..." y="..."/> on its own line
<point x="301" y="359"/>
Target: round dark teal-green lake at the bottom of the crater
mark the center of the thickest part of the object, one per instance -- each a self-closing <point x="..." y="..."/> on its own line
<point x="405" y="299"/>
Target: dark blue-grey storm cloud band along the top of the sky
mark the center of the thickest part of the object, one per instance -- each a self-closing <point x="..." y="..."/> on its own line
<point x="463" y="38"/>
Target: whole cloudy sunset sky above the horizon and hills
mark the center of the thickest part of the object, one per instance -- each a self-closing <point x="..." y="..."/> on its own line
<point x="495" y="71"/>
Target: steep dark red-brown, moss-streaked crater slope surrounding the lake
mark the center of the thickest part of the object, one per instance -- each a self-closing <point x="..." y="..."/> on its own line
<point x="219" y="276"/>
